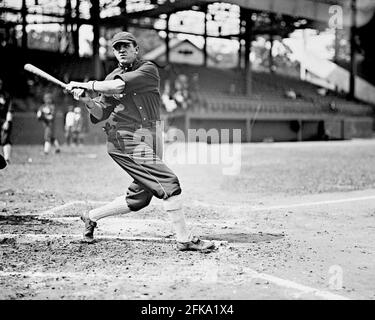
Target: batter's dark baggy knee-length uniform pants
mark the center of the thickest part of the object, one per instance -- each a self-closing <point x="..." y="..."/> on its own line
<point x="139" y="153"/>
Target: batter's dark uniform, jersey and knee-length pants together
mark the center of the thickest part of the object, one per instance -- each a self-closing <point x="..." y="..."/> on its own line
<point x="134" y="140"/>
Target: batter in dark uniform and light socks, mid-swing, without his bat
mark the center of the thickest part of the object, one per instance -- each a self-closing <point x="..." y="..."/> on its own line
<point x="129" y="100"/>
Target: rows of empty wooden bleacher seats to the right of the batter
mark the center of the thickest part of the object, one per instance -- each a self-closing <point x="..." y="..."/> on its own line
<point x="267" y="112"/>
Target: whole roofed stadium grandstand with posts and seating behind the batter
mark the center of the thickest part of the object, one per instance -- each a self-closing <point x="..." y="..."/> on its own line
<point x="269" y="104"/>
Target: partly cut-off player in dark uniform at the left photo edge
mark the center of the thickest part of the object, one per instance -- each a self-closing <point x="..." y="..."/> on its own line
<point x="6" y="117"/>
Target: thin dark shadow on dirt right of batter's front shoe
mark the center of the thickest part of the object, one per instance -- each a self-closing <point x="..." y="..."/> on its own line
<point x="245" y="237"/>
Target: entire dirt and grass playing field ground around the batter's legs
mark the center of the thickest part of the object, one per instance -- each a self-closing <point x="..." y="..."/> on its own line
<point x="296" y="223"/>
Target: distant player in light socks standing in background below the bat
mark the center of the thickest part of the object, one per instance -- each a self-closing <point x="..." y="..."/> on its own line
<point x="47" y="114"/>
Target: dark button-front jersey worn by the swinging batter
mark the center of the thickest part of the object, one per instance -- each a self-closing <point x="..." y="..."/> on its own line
<point x="139" y="103"/>
